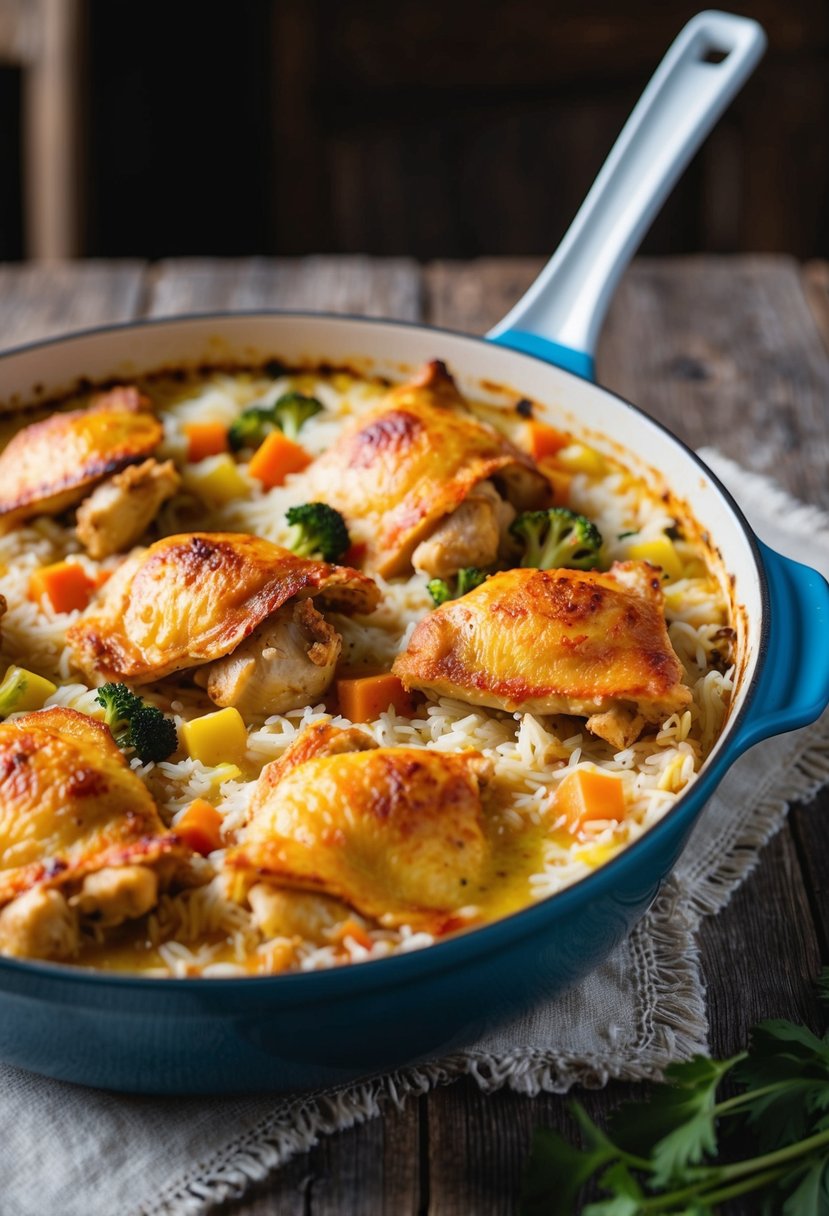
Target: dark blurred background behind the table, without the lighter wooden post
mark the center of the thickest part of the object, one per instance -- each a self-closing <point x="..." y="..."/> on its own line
<point x="426" y="128"/>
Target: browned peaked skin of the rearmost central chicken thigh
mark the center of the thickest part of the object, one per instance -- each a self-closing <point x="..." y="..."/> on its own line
<point x="414" y="461"/>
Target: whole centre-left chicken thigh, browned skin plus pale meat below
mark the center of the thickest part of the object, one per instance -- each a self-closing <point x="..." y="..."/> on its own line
<point x="232" y="605"/>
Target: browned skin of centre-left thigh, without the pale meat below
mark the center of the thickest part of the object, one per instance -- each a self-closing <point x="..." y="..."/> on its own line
<point x="194" y="598"/>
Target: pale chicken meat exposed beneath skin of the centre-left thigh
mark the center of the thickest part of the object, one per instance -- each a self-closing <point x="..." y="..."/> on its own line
<point x="286" y="663"/>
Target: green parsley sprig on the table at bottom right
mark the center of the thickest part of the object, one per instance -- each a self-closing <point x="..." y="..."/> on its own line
<point x="675" y="1155"/>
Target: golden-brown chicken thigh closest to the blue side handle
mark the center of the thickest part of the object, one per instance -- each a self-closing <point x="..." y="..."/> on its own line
<point x="555" y="641"/>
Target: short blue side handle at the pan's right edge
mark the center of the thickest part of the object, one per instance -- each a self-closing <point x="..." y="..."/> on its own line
<point x="794" y="684"/>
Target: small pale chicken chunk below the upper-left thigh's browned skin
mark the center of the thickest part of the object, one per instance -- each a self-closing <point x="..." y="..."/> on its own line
<point x="122" y="509"/>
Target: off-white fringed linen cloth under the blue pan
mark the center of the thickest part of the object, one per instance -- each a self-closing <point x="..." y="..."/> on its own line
<point x="87" y="1153"/>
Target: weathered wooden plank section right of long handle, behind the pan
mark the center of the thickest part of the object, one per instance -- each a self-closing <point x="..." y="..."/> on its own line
<point x="726" y="353"/>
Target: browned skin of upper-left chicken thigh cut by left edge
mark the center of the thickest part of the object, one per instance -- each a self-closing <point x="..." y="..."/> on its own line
<point x="50" y="465"/>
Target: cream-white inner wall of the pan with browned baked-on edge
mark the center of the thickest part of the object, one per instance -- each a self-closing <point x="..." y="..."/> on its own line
<point x="483" y="370"/>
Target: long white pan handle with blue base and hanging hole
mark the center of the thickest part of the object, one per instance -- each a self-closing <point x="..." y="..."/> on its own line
<point x="559" y="319"/>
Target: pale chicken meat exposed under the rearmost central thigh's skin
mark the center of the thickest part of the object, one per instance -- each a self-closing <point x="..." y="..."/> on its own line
<point x="471" y="536"/>
